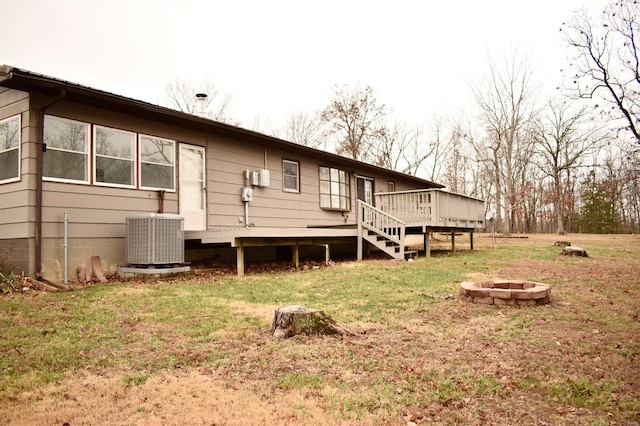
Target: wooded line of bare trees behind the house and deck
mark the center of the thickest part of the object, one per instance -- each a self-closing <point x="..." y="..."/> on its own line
<point x="565" y="164"/>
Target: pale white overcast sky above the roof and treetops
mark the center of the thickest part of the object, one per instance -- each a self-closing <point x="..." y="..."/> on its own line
<point x="276" y="57"/>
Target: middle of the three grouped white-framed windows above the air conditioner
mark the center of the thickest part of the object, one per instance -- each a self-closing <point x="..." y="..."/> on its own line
<point x="115" y="157"/>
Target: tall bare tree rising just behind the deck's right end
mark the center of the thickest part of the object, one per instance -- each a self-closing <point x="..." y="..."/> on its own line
<point x="506" y="109"/>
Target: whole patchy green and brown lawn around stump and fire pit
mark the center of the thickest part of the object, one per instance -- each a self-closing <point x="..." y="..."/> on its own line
<point x="196" y="351"/>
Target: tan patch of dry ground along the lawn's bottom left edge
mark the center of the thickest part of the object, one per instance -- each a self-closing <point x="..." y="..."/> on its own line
<point x="192" y="397"/>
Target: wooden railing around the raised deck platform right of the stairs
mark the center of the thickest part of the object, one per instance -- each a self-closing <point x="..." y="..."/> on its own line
<point x="432" y="207"/>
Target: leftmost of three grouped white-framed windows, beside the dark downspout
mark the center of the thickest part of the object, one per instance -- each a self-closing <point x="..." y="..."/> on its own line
<point x="66" y="157"/>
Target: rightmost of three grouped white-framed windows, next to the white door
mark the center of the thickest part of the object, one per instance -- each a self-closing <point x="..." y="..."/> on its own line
<point x="157" y="163"/>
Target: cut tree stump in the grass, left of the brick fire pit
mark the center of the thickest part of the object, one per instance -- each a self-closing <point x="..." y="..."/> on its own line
<point x="293" y="320"/>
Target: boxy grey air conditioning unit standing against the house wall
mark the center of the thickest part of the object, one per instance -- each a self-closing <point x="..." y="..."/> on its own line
<point x="155" y="239"/>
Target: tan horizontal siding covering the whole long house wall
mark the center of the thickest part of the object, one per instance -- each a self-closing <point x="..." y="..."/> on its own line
<point x="97" y="214"/>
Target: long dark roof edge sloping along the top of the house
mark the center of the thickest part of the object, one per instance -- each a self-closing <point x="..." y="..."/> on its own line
<point x="31" y="82"/>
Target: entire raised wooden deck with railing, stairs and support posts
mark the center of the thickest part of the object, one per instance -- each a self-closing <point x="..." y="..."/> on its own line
<point x="384" y="226"/>
